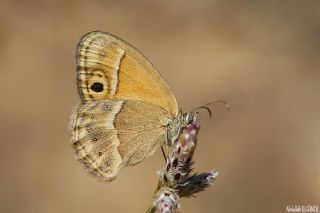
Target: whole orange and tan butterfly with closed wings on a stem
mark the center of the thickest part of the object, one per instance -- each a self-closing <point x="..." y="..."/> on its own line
<point x="127" y="111"/>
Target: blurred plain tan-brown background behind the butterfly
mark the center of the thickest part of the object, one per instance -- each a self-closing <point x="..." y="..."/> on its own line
<point x="263" y="57"/>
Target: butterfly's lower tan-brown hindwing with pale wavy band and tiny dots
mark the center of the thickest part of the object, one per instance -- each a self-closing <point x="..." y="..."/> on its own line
<point x="108" y="135"/>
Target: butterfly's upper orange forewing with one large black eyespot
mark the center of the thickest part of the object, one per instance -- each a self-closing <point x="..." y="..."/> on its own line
<point x="111" y="69"/>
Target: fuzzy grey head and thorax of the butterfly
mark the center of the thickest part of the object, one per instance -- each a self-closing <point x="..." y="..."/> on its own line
<point x="177" y="125"/>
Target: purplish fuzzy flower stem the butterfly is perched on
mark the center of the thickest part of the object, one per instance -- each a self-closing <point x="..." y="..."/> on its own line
<point x="175" y="180"/>
